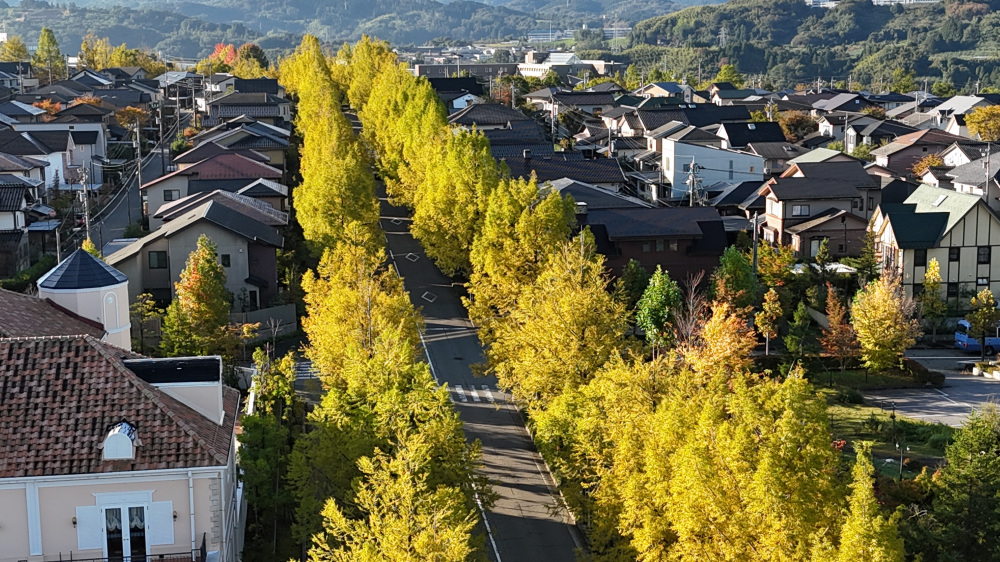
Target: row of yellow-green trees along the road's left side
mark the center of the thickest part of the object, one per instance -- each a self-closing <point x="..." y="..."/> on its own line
<point x="385" y="472"/>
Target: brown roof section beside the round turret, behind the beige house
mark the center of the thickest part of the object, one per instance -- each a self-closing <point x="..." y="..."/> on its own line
<point x="26" y="316"/>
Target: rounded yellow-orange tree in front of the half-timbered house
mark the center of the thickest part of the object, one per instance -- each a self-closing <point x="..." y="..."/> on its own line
<point x="883" y="318"/>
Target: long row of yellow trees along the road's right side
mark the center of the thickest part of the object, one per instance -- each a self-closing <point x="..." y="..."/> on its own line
<point x="687" y="456"/>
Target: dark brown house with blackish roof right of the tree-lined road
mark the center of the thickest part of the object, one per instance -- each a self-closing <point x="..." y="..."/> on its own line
<point x="681" y="240"/>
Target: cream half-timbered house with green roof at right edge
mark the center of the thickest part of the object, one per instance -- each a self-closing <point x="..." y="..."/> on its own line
<point x="957" y="229"/>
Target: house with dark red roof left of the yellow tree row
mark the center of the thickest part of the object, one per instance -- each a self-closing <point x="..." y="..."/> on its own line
<point x="229" y="171"/>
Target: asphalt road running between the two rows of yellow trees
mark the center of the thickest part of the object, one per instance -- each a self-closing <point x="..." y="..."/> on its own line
<point x="528" y="522"/>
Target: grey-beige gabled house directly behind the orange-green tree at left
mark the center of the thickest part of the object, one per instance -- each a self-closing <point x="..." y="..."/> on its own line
<point x="246" y="247"/>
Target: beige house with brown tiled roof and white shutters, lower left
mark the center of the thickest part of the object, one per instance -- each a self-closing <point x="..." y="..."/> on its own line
<point x="107" y="455"/>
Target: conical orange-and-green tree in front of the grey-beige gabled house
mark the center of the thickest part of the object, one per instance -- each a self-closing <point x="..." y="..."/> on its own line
<point x="196" y="320"/>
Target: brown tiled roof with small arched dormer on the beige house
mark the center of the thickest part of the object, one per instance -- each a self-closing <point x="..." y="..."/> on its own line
<point x="60" y="397"/>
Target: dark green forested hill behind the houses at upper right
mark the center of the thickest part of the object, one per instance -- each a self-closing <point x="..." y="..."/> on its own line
<point x="785" y="42"/>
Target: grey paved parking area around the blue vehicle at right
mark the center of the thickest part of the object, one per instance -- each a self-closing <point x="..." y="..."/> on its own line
<point x="950" y="404"/>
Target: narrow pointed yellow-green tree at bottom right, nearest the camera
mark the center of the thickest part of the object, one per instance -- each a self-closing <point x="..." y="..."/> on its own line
<point x="868" y="535"/>
